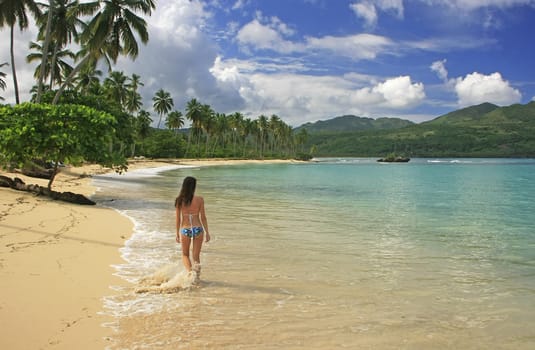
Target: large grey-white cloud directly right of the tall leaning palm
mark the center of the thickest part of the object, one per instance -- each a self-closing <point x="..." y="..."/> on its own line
<point x="178" y="59"/>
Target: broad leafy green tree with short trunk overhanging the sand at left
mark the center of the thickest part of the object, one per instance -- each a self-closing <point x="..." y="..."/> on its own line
<point x="63" y="133"/>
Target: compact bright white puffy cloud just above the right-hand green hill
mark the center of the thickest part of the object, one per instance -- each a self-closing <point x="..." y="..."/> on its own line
<point x="476" y="88"/>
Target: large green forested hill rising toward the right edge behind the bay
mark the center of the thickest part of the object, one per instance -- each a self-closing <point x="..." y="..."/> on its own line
<point x="484" y="130"/>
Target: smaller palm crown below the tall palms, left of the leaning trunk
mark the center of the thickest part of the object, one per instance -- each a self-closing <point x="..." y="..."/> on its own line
<point x="53" y="67"/>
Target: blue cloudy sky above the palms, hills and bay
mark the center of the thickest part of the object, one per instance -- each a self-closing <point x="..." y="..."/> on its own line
<point x="310" y="60"/>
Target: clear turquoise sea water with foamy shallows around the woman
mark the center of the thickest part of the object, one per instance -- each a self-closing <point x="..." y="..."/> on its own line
<point x="338" y="253"/>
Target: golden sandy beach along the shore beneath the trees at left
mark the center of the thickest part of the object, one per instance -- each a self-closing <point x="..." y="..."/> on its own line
<point x="56" y="261"/>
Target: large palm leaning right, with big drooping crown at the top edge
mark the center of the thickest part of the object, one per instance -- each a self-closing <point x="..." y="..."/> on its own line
<point x="110" y="33"/>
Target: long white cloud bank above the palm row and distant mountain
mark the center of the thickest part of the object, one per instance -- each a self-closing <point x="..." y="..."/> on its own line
<point x="299" y="97"/>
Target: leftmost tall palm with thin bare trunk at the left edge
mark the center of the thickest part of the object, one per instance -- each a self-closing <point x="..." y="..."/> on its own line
<point x="11" y="13"/>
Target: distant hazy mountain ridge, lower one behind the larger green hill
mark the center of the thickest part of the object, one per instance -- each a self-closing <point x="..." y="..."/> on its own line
<point x="348" y="123"/>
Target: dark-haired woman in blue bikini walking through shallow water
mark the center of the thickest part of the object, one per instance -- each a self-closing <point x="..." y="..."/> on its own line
<point x="191" y="224"/>
